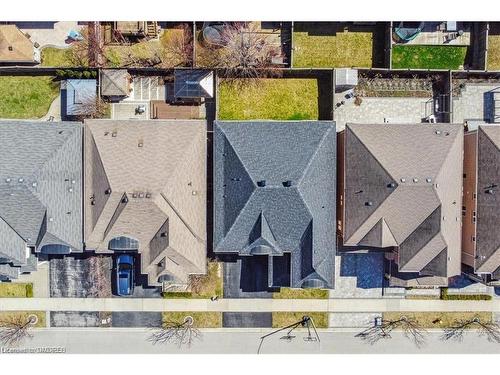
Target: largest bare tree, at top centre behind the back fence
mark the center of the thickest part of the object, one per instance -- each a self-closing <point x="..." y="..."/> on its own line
<point x="244" y="53"/>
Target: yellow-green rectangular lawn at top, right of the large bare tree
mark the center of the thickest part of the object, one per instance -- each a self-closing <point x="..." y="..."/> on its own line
<point x="325" y="46"/>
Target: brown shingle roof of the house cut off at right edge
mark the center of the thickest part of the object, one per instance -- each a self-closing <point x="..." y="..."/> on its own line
<point x="488" y="199"/>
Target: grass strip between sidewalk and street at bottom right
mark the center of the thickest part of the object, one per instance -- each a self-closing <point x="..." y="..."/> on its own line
<point x="438" y="319"/>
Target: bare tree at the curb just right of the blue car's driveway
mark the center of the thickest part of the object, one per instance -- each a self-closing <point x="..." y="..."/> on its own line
<point x="176" y="332"/>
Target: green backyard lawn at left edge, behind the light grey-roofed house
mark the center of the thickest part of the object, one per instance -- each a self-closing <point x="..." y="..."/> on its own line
<point x="23" y="97"/>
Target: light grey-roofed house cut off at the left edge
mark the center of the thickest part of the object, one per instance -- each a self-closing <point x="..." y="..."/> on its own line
<point x="41" y="192"/>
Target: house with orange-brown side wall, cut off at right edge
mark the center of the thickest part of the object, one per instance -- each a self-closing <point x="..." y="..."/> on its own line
<point x="481" y="207"/>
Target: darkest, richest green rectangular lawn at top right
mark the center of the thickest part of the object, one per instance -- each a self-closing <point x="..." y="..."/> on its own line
<point x="428" y="57"/>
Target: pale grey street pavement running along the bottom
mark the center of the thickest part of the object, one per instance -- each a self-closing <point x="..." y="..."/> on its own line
<point x="115" y="340"/>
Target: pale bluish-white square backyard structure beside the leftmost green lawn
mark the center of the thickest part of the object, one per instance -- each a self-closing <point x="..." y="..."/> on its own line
<point x="79" y="97"/>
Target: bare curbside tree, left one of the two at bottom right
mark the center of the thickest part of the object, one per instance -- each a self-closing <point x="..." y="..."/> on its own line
<point x="409" y="326"/>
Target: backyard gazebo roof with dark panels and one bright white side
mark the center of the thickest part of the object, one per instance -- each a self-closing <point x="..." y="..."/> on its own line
<point x="193" y="83"/>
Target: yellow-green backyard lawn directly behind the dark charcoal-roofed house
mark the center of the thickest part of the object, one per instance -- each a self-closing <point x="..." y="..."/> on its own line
<point x="269" y="99"/>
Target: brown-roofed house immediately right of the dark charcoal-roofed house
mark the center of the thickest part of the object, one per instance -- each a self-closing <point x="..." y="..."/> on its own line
<point x="401" y="192"/>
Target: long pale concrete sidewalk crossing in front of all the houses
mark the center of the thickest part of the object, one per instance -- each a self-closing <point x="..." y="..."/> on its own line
<point x="243" y="305"/>
